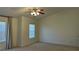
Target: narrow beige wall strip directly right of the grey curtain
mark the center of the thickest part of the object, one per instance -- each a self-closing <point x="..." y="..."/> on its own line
<point x="14" y="31"/>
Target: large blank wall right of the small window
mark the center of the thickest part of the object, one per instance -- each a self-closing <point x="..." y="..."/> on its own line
<point x="61" y="28"/>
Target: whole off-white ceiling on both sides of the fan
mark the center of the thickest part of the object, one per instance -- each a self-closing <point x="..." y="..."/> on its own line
<point x="17" y="11"/>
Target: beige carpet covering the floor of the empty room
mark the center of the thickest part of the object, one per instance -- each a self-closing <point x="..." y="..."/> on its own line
<point x="45" y="47"/>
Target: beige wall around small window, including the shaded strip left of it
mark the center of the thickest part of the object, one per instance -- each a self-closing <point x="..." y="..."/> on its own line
<point x="23" y="34"/>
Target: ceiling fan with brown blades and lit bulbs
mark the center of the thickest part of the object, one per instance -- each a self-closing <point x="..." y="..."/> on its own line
<point x="36" y="11"/>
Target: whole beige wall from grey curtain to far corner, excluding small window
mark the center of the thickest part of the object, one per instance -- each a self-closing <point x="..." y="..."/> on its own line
<point x="20" y="31"/>
